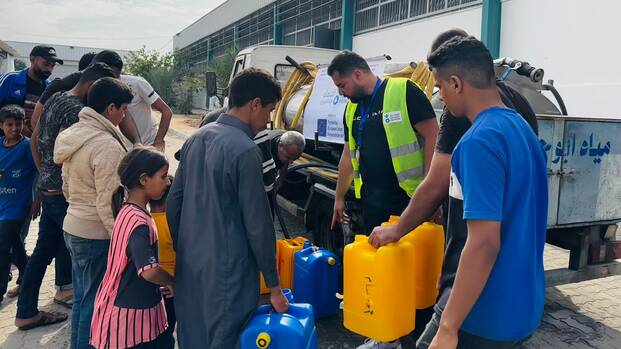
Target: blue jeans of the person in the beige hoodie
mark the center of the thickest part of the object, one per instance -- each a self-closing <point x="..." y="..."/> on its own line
<point x="89" y="259"/>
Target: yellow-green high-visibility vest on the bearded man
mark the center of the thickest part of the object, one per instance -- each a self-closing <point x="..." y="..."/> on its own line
<point x="406" y="153"/>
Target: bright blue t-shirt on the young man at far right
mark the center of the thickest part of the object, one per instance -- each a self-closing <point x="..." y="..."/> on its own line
<point x="499" y="171"/>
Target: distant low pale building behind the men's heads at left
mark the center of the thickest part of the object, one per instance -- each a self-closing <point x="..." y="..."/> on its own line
<point x="69" y="54"/>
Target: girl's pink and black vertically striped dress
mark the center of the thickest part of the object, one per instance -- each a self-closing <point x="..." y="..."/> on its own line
<point x="115" y="326"/>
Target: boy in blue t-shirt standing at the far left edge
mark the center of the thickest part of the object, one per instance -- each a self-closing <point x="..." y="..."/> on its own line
<point x="17" y="174"/>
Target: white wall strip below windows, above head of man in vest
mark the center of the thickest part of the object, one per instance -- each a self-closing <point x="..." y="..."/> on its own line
<point x="411" y="41"/>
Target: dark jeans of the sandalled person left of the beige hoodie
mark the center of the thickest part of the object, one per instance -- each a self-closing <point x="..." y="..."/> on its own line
<point x="50" y="245"/>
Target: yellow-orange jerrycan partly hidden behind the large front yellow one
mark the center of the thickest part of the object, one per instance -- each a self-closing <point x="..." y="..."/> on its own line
<point x="428" y="242"/>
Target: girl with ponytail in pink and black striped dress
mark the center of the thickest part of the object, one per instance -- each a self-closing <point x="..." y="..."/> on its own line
<point x="129" y="312"/>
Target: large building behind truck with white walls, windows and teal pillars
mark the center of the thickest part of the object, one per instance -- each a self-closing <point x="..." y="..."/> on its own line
<point x="572" y="40"/>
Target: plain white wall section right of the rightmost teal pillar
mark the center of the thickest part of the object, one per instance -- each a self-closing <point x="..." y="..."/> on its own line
<point x="575" y="42"/>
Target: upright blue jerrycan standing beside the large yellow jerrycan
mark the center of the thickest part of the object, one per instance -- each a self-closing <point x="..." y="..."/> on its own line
<point x="316" y="280"/>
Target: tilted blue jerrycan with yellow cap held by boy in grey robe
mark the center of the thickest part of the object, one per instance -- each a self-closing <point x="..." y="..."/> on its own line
<point x="293" y="329"/>
